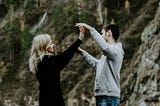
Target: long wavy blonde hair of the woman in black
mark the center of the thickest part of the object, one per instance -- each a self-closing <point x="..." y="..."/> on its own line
<point x="38" y="50"/>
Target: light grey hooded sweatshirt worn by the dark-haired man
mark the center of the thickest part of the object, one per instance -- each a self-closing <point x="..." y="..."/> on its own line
<point x="107" y="81"/>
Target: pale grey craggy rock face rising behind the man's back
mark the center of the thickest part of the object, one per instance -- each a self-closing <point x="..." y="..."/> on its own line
<point x="142" y="87"/>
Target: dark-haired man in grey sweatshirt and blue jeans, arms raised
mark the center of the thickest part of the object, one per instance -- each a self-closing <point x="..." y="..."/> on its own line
<point x="107" y="81"/>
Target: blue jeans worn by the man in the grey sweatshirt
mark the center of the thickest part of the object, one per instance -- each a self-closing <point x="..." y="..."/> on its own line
<point x="107" y="101"/>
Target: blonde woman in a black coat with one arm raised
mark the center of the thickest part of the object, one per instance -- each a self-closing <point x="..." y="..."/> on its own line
<point x="47" y="66"/>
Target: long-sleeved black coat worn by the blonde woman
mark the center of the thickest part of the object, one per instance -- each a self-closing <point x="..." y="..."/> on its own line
<point x="48" y="75"/>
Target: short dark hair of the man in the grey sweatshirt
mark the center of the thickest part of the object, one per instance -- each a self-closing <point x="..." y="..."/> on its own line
<point x="115" y="30"/>
